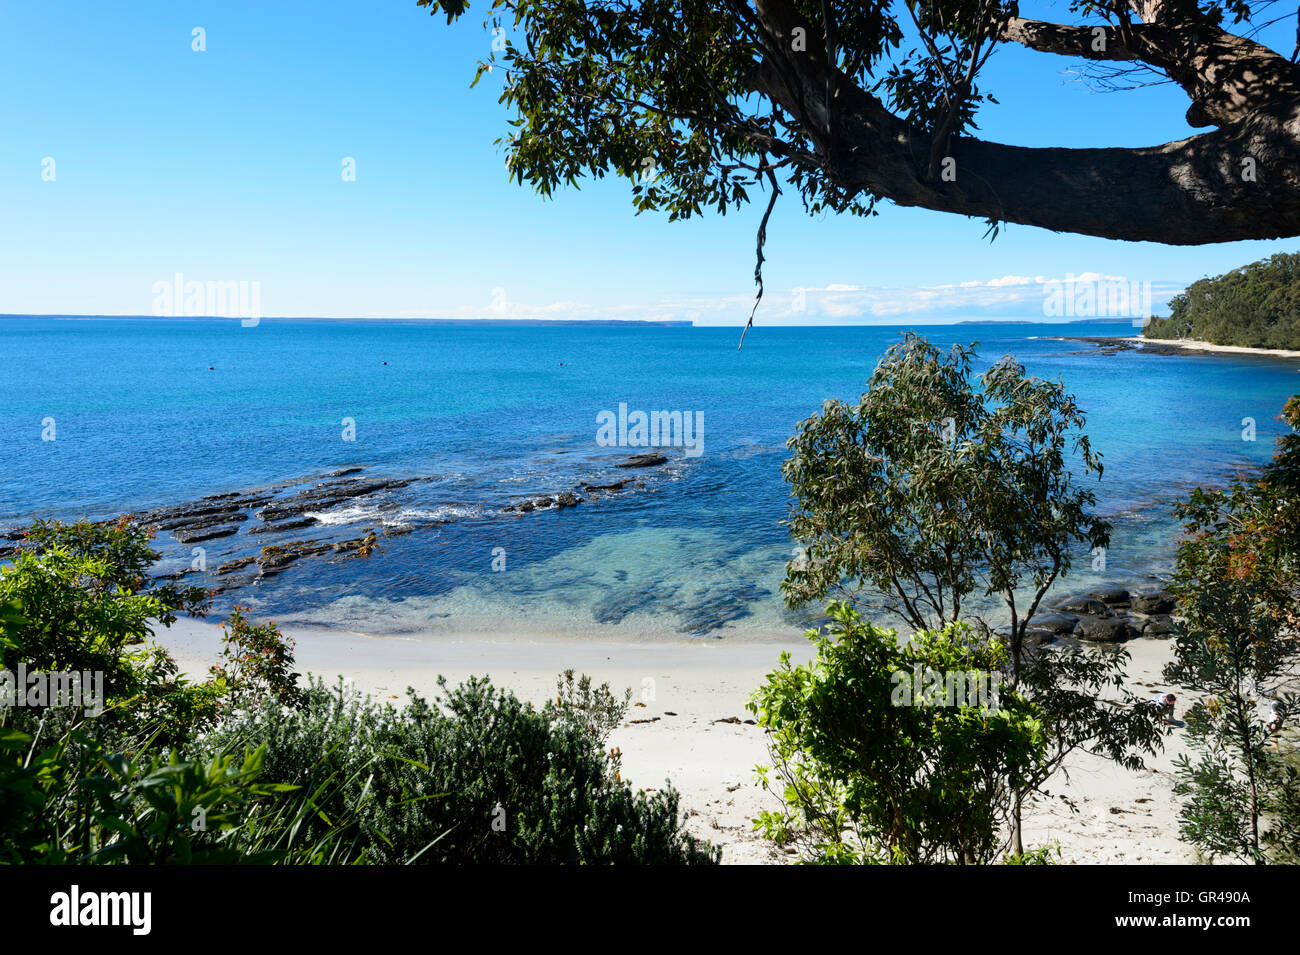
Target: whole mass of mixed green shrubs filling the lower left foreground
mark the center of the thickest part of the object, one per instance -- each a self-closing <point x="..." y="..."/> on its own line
<point x="249" y="767"/>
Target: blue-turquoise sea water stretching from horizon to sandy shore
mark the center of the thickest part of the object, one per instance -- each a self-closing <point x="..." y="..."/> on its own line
<point x="153" y="413"/>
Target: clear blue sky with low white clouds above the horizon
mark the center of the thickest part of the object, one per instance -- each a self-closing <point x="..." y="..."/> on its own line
<point x="226" y="166"/>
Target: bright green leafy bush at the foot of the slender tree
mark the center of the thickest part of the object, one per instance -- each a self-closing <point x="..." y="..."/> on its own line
<point x="873" y="770"/>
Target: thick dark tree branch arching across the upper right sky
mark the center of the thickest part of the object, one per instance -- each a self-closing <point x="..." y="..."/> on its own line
<point x="1237" y="183"/>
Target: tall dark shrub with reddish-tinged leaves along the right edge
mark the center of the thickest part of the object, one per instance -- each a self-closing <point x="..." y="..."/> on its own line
<point x="1237" y="583"/>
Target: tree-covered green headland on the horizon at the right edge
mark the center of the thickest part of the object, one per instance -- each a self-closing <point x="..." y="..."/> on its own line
<point x="1256" y="306"/>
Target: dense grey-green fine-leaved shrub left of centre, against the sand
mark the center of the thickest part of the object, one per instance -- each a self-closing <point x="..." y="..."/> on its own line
<point x="482" y="778"/>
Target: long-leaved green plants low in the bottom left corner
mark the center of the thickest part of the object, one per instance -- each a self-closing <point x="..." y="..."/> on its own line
<point x="75" y="802"/>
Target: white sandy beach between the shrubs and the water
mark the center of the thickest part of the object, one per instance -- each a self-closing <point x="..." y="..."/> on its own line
<point x="692" y="727"/>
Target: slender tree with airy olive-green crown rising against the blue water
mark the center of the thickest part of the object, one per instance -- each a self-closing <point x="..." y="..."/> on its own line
<point x="938" y="487"/>
